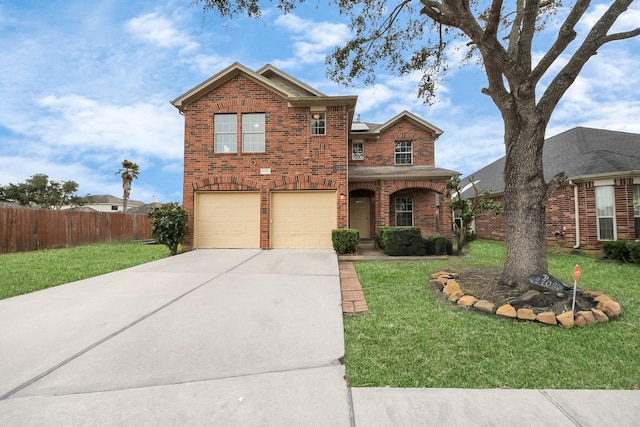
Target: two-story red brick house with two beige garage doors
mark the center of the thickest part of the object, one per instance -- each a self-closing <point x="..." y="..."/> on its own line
<point x="271" y="162"/>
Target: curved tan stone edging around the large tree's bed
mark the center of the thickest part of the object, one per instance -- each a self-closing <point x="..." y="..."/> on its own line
<point x="606" y="307"/>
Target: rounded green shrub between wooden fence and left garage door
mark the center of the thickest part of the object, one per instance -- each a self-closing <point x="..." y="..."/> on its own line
<point x="169" y="225"/>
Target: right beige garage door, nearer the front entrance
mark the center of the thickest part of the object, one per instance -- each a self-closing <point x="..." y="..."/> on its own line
<point x="303" y="219"/>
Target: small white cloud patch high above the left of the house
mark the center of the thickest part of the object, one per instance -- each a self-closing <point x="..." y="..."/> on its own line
<point x="160" y="31"/>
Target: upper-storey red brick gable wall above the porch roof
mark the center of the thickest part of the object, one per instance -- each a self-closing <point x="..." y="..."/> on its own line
<point x="381" y="152"/>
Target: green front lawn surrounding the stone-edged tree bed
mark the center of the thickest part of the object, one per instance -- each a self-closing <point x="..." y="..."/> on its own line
<point x="412" y="337"/>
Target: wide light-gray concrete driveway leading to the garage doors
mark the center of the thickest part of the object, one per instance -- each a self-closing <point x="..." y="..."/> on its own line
<point x="209" y="337"/>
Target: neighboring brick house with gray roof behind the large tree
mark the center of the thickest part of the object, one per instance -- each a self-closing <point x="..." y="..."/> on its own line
<point x="596" y="202"/>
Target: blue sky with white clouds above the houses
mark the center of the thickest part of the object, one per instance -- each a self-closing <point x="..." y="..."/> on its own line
<point x="85" y="85"/>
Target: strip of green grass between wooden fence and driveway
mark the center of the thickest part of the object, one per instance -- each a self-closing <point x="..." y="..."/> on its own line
<point x="26" y="272"/>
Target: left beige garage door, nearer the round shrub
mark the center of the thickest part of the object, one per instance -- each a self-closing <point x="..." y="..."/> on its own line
<point x="227" y="220"/>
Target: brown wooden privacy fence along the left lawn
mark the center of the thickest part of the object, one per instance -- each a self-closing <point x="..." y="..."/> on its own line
<point x="26" y="229"/>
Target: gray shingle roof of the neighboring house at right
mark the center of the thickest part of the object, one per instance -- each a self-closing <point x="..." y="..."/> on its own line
<point x="579" y="152"/>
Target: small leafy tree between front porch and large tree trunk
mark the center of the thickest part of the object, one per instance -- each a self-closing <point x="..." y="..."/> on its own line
<point x="468" y="209"/>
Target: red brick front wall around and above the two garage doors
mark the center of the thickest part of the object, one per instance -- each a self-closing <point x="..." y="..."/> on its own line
<point x="297" y="159"/>
